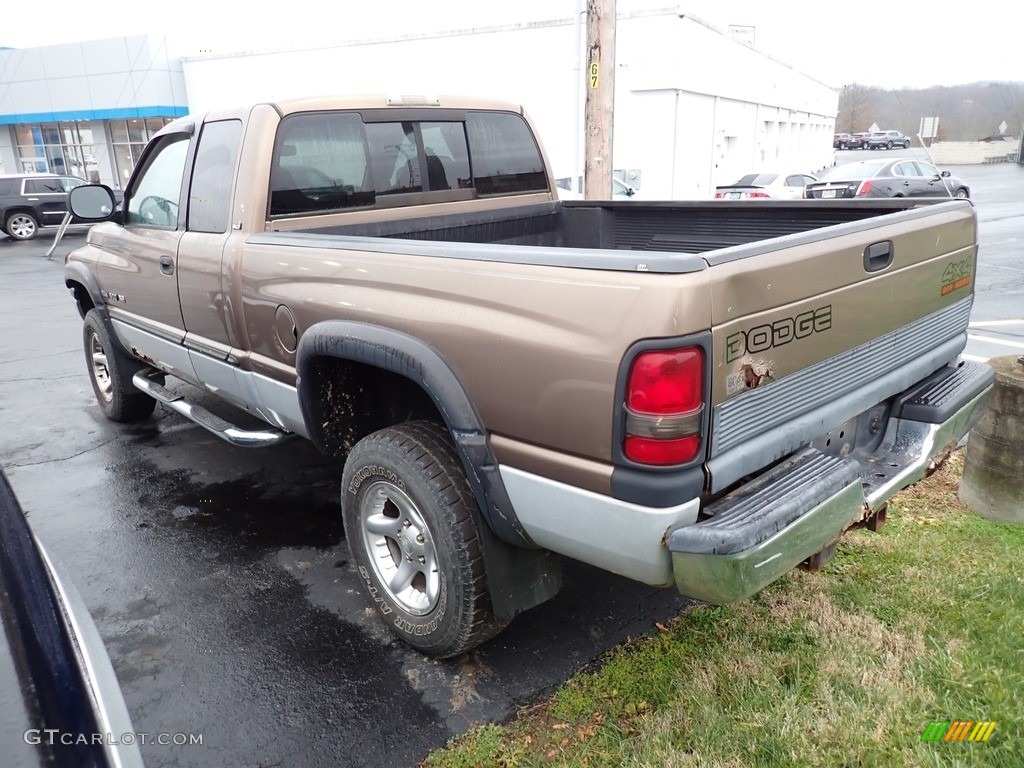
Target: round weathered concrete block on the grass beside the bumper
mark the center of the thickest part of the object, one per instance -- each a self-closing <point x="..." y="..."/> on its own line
<point x="994" y="474"/>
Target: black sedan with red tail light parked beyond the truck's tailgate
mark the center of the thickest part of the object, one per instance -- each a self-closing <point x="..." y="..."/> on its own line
<point x="887" y="179"/>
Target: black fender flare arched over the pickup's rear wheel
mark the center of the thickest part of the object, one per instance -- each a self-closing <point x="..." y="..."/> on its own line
<point x="407" y="356"/>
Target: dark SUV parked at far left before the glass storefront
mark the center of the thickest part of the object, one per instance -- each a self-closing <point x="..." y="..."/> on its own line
<point x="30" y="201"/>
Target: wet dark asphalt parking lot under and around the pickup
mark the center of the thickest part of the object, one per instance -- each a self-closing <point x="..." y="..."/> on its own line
<point x="220" y="579"/>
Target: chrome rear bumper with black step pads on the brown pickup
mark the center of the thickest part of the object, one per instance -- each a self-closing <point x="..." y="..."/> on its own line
<point x="766" y="528"/>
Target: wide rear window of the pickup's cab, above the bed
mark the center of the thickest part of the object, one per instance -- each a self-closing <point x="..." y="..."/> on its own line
<point x="334" y="161"/>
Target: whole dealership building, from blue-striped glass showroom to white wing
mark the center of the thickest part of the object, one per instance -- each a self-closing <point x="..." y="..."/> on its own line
<point x="695" y="108"/>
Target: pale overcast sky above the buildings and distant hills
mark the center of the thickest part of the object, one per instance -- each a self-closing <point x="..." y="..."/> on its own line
<point x="889" y="45"/>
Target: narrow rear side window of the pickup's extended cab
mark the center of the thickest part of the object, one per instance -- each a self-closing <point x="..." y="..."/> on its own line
<point x="210" y="195"/>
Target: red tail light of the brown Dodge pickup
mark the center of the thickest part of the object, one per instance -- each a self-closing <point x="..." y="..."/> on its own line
<point x="665" y="407"/>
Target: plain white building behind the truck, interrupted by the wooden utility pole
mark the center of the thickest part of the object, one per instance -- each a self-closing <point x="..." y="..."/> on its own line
<point x="694" y="107"/>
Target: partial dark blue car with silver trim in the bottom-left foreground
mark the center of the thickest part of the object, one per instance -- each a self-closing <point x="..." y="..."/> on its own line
<point x="55" y="673"/>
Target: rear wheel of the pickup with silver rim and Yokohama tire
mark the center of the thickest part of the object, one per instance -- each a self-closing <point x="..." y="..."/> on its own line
<point x="411" y="522"/>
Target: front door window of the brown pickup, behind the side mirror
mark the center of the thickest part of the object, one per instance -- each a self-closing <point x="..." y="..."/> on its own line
<point x="155" y="197"/>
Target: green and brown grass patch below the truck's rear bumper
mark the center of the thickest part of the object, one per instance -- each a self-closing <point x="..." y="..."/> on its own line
<point x="921" y="622"/>
